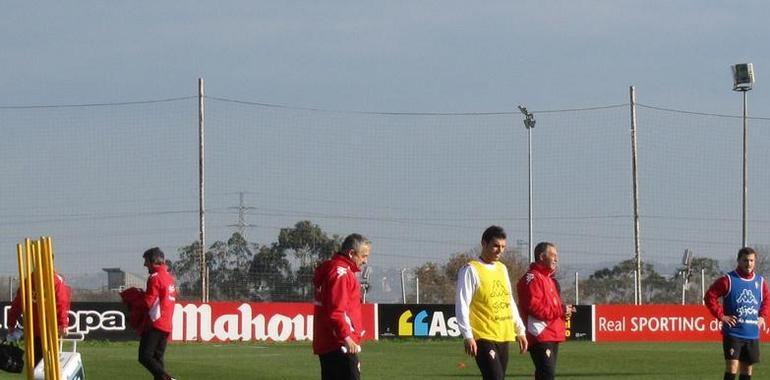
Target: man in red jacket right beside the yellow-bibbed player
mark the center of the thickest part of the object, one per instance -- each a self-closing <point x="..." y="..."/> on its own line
<point x="541" y="309"/>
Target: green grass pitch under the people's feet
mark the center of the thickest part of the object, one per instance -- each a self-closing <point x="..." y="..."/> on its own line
<point x="409" y="359"/>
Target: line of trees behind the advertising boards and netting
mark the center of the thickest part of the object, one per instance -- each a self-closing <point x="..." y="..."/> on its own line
<point x="283" y="271"/>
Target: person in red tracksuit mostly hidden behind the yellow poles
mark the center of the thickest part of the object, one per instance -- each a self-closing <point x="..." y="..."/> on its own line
<point x="62" y="297"/>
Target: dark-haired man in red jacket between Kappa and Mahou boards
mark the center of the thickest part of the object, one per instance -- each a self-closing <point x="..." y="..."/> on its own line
<point x="159" y="298"/>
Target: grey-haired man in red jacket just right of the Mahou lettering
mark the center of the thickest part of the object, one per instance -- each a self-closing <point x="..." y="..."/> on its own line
<point x="337" y="322"/>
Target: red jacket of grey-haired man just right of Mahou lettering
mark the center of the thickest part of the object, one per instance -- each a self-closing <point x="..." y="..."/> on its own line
<point x="337" y="305"/>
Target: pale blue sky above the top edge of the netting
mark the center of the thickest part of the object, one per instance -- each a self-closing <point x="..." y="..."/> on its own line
<point x="386" y="56"/>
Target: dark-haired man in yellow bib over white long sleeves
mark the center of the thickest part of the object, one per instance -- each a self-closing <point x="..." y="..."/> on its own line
<point x="486" y="312"/>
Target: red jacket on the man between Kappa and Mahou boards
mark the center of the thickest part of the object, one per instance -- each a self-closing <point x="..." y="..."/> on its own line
<point x="160" y="298"/>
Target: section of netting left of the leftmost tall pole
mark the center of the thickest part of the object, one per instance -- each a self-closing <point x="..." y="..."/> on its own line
<point x="106" y="182"/>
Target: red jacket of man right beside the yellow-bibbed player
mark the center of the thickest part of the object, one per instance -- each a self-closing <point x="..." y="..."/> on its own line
<point x="540" y="305"/>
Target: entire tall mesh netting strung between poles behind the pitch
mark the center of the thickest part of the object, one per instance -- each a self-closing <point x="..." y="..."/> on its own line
<point x="109" y="181"/>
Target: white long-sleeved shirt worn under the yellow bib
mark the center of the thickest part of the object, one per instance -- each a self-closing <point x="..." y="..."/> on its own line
<point x="467" y="284"/>
